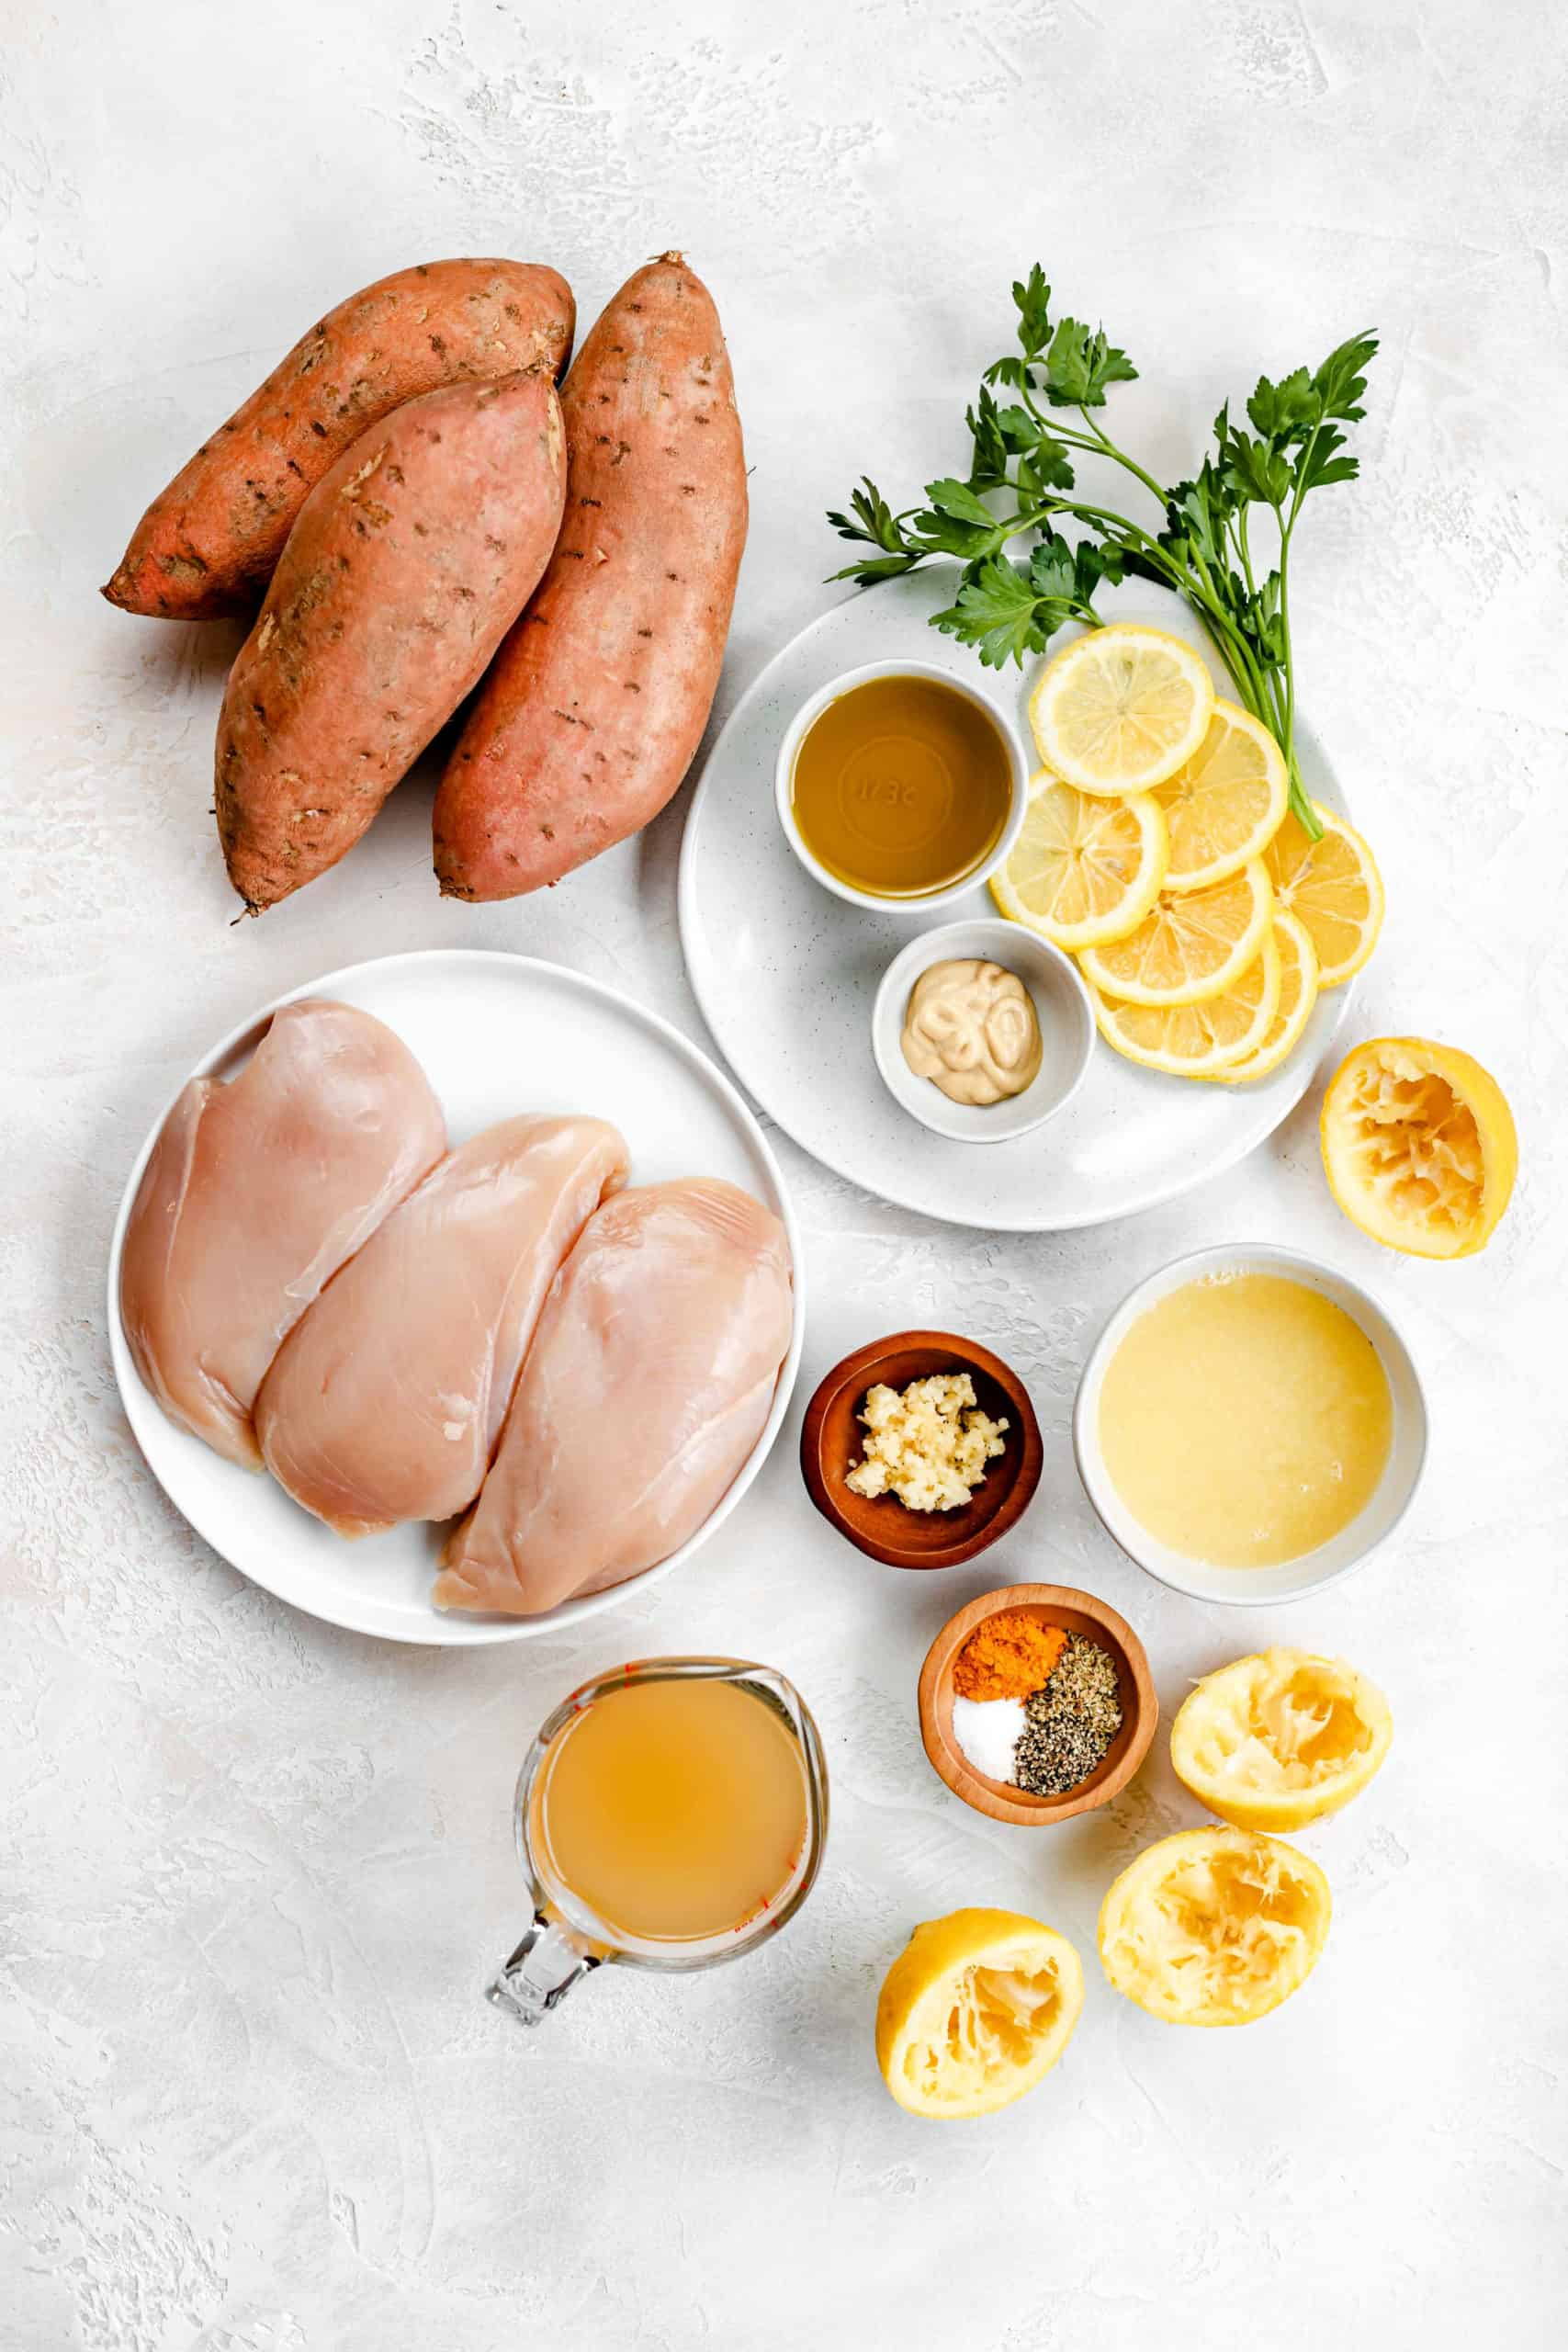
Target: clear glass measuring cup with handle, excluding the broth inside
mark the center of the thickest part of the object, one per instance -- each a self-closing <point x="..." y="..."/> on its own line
<point x="568" y="1937"/>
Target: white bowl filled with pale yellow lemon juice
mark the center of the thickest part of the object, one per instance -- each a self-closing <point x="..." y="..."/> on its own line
<point x="1249" y="1426"/>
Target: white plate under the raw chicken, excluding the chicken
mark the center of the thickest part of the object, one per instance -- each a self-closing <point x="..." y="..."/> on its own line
<point x="497" y="1036"/>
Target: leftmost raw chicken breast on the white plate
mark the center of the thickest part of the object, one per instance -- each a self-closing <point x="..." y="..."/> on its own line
<point x="257" y="1191"/>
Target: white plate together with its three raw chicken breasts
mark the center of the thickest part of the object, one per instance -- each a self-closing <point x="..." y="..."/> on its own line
<point x="453" y="1297"/>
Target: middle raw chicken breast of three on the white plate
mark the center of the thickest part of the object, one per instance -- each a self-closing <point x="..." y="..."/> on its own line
<point x="389" y="1396"/>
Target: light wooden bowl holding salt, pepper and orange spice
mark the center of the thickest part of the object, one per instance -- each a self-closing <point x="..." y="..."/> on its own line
<point x="1036" y="1704"/>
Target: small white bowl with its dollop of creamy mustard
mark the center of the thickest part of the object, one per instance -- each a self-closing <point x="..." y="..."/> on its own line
<point x="981" y="1029"/>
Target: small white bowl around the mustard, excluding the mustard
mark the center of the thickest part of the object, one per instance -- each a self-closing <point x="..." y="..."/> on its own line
<point x="1061" y="1008"/>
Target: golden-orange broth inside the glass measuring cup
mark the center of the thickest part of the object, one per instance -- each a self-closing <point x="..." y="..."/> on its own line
<point x="674" y="1810"/>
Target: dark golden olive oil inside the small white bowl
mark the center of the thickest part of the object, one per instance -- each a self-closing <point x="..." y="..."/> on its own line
<point x="902" y="787"/>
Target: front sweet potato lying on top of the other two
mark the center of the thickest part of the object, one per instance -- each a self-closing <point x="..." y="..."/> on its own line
<point x="408" y="566"/>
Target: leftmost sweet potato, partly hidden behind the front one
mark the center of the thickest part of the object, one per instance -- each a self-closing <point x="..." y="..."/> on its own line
<point x="208" y="544"/>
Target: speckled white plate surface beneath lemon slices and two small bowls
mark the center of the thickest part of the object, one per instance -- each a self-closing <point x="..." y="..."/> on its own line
<point x="786" y="973"/>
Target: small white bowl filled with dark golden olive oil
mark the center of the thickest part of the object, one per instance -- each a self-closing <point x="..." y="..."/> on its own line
<point x="902" y="787"/>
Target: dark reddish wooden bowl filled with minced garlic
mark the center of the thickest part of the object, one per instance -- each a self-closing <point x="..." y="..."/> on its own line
<point x="923" y="1450"/>
